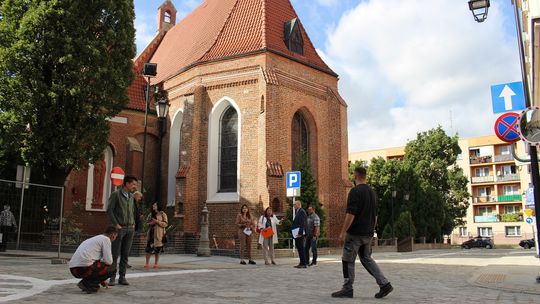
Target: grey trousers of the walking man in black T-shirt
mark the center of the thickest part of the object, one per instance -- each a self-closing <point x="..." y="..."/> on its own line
<point x="361" y="246"/>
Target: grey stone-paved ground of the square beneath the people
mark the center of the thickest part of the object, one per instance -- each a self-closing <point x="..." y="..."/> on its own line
<point x="445" y="280"/>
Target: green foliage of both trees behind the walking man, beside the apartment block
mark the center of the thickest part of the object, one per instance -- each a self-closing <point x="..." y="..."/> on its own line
<point x="428" y="174"/>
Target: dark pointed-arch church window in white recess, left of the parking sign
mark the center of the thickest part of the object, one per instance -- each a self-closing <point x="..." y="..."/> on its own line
<point x="228" y="151"/>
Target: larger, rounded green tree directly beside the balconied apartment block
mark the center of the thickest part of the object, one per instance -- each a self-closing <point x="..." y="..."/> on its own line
<point x="442" y="201"/>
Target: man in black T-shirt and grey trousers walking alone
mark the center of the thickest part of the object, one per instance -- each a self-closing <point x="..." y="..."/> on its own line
<point x="357" y="231"/>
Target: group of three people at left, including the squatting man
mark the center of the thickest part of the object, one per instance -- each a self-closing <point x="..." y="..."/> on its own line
<point x="102" y="257"/>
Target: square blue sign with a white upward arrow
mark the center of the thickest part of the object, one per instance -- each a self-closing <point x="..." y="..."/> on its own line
<point x="508" y="97"/>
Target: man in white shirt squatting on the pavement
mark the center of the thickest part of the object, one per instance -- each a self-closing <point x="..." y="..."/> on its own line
<point x="92" y="260"/>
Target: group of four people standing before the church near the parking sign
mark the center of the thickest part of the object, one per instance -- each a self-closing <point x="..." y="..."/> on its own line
<point x="307" y="233"/>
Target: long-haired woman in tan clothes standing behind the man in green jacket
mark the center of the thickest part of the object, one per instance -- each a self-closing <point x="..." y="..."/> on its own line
<point x="157" y="223"/>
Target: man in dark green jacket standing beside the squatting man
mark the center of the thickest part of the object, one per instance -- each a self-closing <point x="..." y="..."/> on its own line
<point x="121" y="211"/>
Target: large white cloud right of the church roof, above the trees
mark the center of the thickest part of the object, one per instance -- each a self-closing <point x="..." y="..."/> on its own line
<point x="406" y="65"/>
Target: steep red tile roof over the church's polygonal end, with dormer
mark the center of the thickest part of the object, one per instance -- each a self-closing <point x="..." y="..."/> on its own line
<point x="223" y="28"/>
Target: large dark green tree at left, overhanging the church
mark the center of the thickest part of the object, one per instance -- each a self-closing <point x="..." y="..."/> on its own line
<point x="65" y="67"/>
